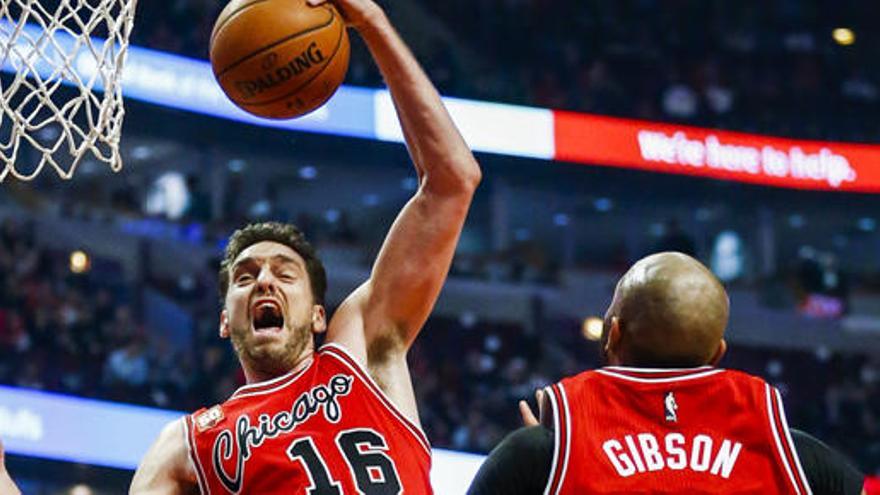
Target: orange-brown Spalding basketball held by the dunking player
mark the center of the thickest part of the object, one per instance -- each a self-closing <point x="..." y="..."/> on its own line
<point x="279" y="59"/>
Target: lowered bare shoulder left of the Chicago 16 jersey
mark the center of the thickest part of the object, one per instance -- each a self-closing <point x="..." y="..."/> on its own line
<point x="165" y="468"/>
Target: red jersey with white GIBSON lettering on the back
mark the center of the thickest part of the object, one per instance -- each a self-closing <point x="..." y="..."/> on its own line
<point x="701" y="430"/>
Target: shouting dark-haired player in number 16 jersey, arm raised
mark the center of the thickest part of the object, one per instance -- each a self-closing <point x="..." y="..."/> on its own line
<point x="343" y="418"/>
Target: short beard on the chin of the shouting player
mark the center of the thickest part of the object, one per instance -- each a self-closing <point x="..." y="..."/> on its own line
<point x="272" y="358"/>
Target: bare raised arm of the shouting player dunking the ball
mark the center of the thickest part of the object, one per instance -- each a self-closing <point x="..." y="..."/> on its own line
<point x="415" y="258"/>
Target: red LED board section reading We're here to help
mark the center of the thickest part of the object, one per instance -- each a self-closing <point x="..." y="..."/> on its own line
<point x="716" y="154"/>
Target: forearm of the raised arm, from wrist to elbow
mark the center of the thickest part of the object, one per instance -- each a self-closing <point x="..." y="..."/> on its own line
<point x="441" y="156"/>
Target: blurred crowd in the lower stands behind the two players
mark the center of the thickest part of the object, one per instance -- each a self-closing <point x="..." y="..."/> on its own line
<point x="84" y="334"/>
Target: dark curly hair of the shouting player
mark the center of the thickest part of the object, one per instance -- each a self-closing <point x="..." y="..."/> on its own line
<point x="281" y="233"/>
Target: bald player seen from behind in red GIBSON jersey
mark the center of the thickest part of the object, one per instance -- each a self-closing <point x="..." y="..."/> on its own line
<point x="660" y="417"/>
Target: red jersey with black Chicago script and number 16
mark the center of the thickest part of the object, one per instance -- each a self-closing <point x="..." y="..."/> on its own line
<point x="325" y="430"/>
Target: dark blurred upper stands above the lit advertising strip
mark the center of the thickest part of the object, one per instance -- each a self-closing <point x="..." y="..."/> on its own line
<point x="763" y="67"/>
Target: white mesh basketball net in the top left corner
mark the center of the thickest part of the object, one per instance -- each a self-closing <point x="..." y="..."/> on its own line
<point x="60" y="84"/>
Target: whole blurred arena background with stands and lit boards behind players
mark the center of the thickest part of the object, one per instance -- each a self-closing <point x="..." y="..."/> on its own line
<point x="607" y="130"/>
